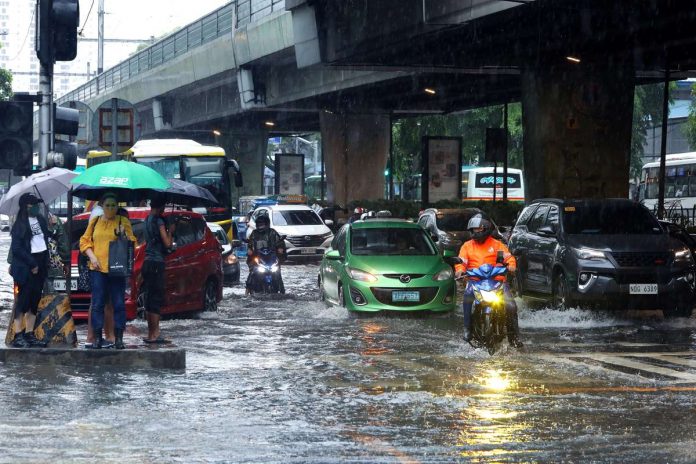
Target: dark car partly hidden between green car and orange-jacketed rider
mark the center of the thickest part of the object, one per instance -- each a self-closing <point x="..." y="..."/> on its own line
<point x="447" y="227"/>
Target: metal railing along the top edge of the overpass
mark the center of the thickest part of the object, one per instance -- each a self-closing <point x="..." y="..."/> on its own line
<point x="199" y="32"/>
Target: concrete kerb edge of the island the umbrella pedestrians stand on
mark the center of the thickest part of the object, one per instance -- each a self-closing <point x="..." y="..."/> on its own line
<point x="156" y="357"/>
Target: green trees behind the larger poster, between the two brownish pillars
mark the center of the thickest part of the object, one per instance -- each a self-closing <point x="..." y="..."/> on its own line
<point x="471" y="126"/>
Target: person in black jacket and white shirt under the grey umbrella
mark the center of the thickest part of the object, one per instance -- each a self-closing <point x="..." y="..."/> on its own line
<point x="29" y="267"/>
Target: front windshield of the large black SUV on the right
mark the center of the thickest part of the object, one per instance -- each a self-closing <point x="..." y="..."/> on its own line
<point x="609" y="219"/>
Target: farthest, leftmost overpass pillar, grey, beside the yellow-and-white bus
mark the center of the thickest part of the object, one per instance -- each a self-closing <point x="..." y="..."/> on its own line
<point x="249" y="149"/>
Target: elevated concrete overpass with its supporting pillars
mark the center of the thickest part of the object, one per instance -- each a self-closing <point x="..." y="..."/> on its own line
<point x="347" y="67"/>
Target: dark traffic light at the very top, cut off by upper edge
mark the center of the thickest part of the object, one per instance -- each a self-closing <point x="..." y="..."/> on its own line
<point x="58" y="21"/>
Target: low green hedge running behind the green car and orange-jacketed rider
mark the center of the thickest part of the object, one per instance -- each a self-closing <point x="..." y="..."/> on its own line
<point x="502" y="212"/>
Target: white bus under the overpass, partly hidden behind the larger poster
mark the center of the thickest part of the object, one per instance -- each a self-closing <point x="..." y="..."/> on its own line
<point x="477" y="184"/>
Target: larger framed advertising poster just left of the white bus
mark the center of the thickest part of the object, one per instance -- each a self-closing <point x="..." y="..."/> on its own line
<point x="442" y="169"/>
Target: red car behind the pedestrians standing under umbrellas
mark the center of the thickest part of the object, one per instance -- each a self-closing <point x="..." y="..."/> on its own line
<point x="193" y="269"/>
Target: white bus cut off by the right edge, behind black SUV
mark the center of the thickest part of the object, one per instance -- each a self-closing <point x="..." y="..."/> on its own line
<point x="680" y="183"/>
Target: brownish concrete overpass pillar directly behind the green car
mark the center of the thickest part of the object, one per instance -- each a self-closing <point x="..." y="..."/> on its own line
<point x="356" y="148"/>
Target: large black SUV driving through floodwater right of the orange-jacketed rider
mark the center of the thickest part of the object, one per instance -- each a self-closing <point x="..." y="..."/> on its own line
<point x="611" y="252"/>
